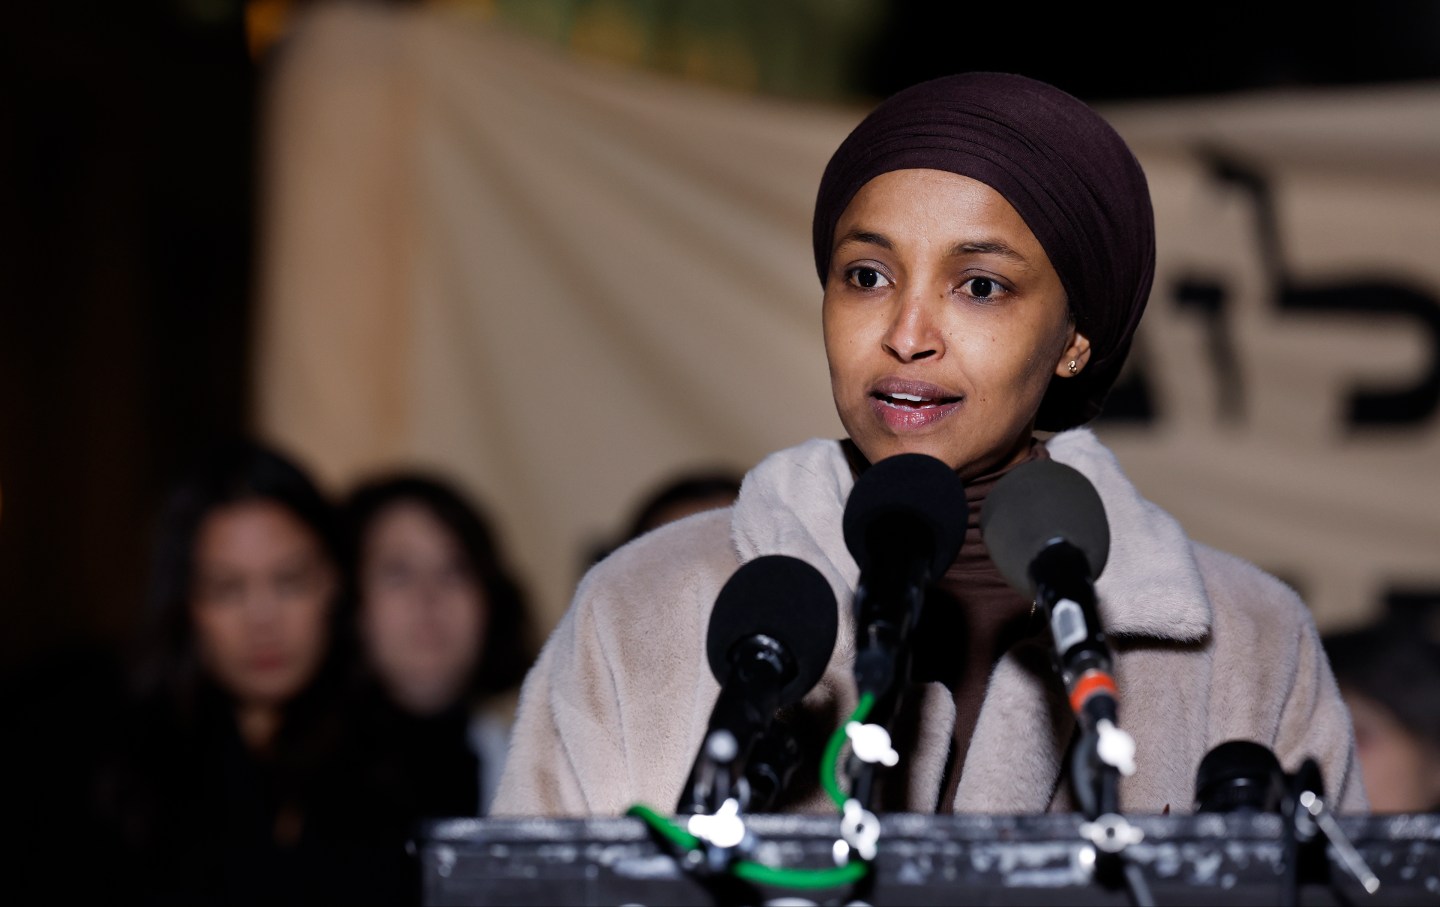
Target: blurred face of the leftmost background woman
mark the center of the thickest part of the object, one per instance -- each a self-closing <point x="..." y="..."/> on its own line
<point x="261" y="601"/>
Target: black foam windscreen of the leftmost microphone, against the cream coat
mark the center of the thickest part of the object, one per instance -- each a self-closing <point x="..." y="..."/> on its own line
<point x="783" y="598"/>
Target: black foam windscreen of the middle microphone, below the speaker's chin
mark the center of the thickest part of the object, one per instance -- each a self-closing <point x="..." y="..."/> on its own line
<point x="908" y="493"/>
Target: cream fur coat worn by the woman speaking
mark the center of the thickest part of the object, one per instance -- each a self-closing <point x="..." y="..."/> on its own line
<point x="1207" y="647"/>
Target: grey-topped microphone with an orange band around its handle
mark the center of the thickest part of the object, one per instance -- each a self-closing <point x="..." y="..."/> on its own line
<point x="1048" y="533"/>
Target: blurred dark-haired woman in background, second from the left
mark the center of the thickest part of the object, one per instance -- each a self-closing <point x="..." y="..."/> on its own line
<point x="446" y="636"/>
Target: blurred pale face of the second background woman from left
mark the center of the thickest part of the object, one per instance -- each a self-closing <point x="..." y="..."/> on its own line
<point x="423" y="613"/>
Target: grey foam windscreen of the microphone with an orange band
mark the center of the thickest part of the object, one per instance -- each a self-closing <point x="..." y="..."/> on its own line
<point x="1033" y="506"/>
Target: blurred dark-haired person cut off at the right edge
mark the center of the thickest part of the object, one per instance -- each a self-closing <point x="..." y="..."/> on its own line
<point x="1390" y="677"/>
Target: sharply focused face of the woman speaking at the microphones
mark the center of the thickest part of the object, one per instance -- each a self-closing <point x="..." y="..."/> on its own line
<point x="944" y="322"/>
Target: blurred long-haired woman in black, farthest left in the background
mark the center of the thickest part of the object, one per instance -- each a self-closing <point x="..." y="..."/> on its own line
<point x="225" y="787"/>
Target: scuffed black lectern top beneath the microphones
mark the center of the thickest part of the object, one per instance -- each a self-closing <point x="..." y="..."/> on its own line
<point x="1209" y="859"/>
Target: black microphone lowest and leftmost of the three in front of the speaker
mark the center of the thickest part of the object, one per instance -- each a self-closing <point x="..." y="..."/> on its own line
<point x="771" y="636"/>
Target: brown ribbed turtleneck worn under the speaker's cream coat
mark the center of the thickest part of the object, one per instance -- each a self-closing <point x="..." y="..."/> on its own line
<point x="971" y="618"/>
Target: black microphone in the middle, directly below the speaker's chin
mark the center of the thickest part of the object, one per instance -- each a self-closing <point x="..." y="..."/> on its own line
<point x="905" y="523"/>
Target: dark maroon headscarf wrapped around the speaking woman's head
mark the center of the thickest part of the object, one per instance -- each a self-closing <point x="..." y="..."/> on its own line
<point x="1061" y="165"/>
